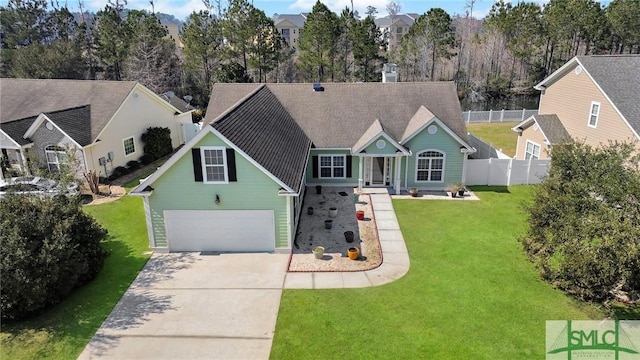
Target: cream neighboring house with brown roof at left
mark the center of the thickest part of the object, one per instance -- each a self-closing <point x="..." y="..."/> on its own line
<point x="41" y="120"/>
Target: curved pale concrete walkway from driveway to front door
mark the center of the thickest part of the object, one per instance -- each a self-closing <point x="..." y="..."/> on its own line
<point x="395" y="258"/>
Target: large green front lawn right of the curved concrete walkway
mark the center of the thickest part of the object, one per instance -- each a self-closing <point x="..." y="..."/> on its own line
<point x="470" y="293"/>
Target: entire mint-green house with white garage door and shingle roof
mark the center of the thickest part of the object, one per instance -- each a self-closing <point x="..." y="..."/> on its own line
<point x="238" y="185"/>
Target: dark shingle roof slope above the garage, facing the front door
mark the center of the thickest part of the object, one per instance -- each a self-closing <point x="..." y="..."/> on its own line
<point x="263" y="129"/>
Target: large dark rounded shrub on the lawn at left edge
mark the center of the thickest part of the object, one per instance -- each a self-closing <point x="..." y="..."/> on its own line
<point x="49" y="248"/>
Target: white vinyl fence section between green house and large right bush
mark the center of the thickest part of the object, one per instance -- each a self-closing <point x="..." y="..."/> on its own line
<point x="505" y="172"/>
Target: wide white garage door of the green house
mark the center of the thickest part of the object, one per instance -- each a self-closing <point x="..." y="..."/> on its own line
<point x="230" y="230"/>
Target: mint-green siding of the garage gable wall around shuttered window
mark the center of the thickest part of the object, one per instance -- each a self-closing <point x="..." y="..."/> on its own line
<point x="254" y="190"/>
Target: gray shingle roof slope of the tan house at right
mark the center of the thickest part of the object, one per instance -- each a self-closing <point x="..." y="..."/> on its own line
<point x="619" y="78"/>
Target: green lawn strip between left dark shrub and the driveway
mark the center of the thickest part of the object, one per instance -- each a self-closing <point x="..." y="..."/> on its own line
<point x="63" y="331"/>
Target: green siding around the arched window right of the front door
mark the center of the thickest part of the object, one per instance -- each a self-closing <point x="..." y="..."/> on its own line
<point x="443" y="142"/>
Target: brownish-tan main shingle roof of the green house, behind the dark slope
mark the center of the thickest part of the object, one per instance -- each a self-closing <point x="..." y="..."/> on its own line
<point x="338" y="116"/>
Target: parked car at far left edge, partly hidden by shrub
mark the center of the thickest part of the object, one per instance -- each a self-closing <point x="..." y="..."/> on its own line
<point x="35" y="185"/>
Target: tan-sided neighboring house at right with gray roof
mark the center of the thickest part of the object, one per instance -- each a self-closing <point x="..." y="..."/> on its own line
<point x="595" y="99"/>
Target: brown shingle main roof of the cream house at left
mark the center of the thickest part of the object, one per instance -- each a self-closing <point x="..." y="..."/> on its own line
<point x="22" y="98"/>
